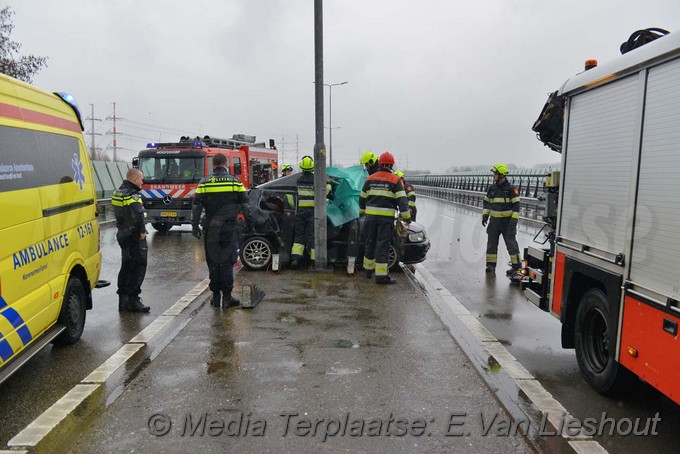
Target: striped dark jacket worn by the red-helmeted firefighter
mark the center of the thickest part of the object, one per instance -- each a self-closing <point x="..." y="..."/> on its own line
<point x="382" y="194"/>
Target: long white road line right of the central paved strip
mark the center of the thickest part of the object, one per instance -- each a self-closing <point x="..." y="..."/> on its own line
<point x="543" y="400"/>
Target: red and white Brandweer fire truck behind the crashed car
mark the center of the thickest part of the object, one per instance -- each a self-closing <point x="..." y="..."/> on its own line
<point x="172" y="172"/>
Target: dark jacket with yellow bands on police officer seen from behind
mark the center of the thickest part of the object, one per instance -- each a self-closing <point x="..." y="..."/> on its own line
<point x="227" y="198"/>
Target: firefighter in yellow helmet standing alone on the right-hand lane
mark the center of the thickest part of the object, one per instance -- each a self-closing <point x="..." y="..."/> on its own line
<point x="501" y="205"/>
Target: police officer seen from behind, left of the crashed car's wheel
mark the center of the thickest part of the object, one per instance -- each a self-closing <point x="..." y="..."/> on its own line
<point x="223" y="197"/>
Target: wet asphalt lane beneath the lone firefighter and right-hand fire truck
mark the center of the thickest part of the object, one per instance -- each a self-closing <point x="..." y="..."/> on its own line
<point x="456" y="259"/>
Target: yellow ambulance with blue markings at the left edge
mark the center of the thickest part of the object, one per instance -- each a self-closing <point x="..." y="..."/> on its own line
<point x="49" y="236"/>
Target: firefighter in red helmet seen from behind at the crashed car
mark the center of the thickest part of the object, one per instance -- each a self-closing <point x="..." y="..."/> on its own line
<point x="382" y="194"/>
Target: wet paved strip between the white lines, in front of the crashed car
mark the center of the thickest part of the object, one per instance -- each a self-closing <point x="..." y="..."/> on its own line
<point x="325" y="362"/>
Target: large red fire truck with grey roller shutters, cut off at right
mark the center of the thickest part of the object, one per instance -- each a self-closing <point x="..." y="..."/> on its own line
<point x="609" y="267"/>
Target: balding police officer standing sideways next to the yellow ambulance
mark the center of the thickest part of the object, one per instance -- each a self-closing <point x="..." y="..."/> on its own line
<point x="131" y="237"/>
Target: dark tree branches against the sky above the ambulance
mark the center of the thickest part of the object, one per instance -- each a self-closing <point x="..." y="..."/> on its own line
<point x="19" y="67"/>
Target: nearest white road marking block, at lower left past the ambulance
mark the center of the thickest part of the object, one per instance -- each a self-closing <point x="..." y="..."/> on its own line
<point x="48" y="420"/>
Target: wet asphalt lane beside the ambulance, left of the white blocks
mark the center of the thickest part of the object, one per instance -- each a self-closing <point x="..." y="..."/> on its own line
<point x="51" y="373"/>
